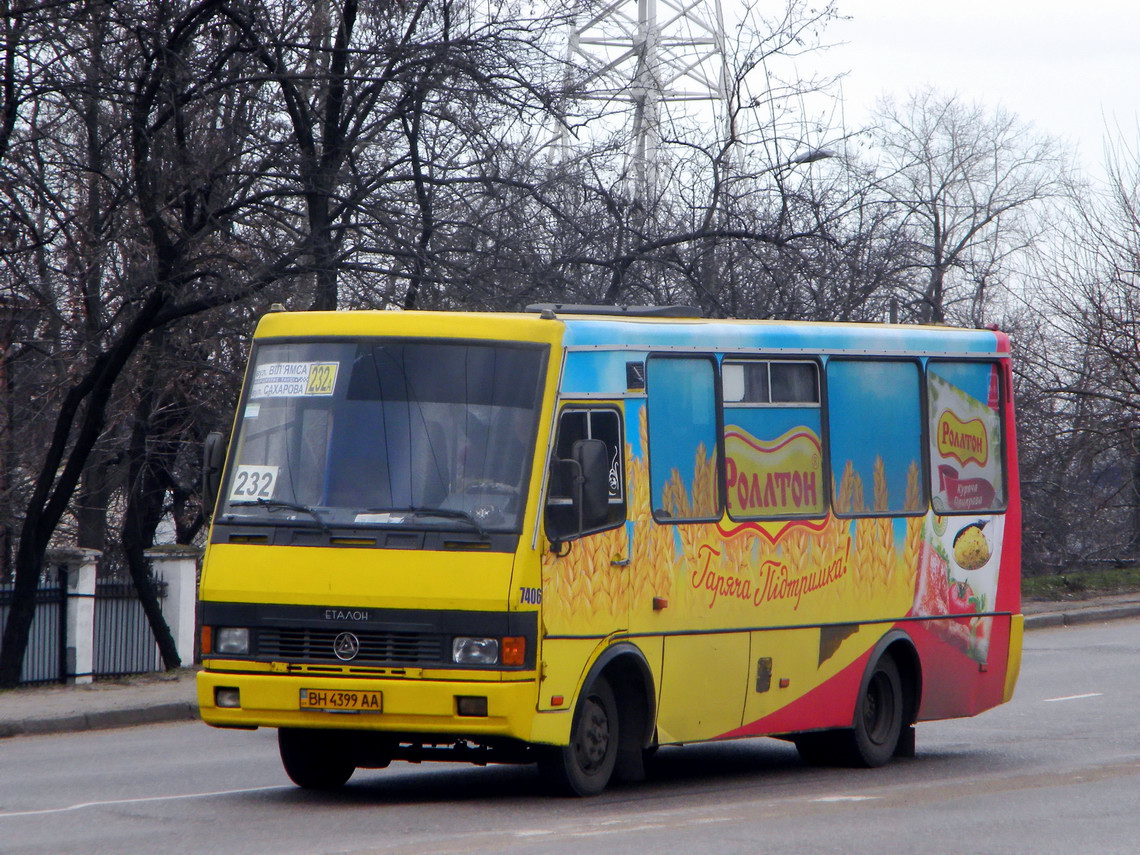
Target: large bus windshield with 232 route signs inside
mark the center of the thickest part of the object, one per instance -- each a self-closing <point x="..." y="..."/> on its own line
<point x="387" y="433"/>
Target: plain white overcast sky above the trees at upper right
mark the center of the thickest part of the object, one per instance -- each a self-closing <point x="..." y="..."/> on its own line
<point x="1068" y="68"/>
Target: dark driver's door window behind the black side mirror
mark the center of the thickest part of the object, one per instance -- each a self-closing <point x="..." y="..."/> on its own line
<point x="574" y="426"/>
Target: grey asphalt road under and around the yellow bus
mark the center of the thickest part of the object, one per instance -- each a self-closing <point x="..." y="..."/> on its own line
<point x="1055" y="771"/>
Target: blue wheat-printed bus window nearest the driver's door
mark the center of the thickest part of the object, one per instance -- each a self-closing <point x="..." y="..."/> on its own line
<point x="683" y="468"/>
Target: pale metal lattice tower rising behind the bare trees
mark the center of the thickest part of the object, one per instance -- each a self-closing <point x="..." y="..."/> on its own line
<point x="652" y="62"/>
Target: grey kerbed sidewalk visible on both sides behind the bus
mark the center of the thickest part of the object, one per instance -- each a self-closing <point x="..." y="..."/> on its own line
<point x="156" y="698"/>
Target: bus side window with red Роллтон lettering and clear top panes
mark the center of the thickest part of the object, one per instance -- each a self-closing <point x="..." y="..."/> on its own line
<point x="772" y="439"/>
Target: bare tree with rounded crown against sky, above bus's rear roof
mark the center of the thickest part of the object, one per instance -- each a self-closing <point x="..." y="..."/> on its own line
<point x="964" y="182"/>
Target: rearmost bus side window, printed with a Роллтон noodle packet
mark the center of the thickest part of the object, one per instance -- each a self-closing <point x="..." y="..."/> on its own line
<point x="964" y="402"/>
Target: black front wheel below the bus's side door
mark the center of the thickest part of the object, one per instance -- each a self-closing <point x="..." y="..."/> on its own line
<point x="585" y="767"/>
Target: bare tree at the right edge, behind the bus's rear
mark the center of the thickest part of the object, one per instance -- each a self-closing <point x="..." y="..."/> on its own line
<point x="1082" y="376"/>
